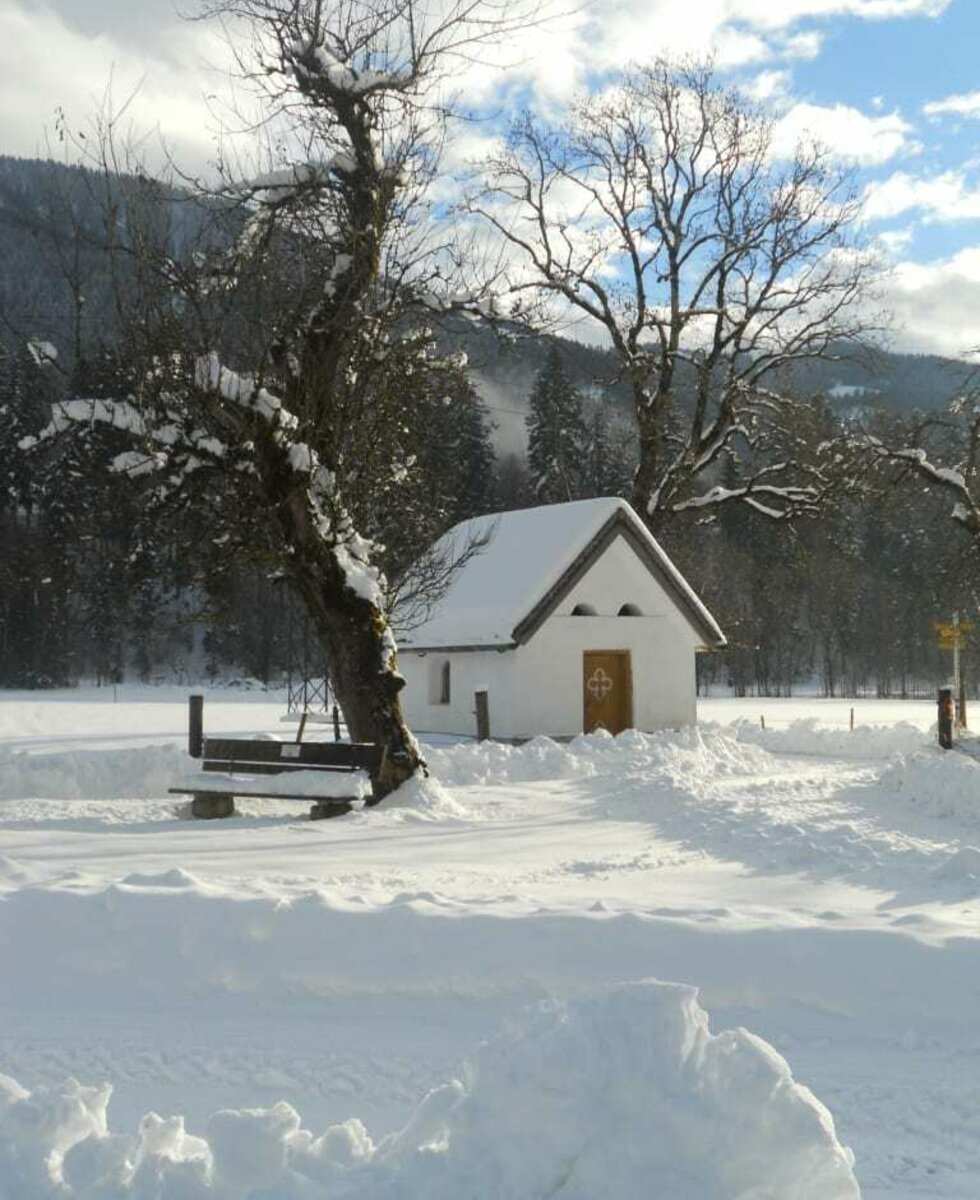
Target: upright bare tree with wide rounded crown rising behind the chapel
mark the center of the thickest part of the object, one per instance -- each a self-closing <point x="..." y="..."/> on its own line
<point x="662" y="215"/>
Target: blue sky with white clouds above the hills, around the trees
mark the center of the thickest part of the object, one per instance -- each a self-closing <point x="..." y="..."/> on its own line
<point x="859" y="75"/>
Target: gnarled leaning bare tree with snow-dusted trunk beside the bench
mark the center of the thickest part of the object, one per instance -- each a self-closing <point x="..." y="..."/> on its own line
<point x="264" y="357"/>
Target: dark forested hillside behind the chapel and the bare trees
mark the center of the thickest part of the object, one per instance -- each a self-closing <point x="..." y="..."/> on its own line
<point x="92" y="587"/>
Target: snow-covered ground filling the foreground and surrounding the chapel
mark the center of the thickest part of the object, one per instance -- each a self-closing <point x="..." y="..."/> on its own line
<point x="458" y="983"/>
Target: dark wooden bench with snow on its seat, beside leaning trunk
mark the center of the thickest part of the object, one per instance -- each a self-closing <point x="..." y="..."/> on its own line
<point x="241" y="764"/>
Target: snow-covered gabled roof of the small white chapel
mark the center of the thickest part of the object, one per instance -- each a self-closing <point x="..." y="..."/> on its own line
<point x="495" y="598"/>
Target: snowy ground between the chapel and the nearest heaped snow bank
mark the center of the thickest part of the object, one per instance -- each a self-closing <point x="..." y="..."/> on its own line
<point x="823" y="893"/>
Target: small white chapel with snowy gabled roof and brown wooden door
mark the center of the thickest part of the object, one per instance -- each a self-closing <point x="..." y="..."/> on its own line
<point x="570" y="619"/>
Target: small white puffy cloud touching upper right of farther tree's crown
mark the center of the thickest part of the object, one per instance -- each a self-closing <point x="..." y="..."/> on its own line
<point x="847" y="131"/>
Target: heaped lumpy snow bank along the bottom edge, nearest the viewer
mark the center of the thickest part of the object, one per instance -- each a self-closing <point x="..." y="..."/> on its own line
<point x="624" y="1094"/>
